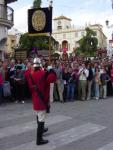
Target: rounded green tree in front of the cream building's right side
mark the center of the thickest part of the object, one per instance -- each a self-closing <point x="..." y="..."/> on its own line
<point x="88" y="44"/>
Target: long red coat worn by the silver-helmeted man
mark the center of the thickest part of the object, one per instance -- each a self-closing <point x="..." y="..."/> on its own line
<point x="43" y="84"/>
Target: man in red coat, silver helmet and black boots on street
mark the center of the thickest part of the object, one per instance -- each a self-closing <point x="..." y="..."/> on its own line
<point x="40" y="79"/>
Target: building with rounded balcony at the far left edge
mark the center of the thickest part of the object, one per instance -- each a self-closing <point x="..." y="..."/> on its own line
<point x="6" y="22"/>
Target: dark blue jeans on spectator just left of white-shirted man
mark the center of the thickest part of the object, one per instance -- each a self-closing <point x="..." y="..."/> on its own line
<point x="70" y="91"/>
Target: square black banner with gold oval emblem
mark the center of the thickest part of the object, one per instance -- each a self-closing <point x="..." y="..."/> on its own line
<point x="40" y="20"/>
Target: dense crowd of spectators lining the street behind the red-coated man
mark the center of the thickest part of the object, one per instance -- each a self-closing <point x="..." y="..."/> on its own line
<point x="77" y="79"/>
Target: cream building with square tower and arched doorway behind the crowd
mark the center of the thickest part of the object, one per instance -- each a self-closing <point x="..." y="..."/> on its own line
<point x="67" y="35"/>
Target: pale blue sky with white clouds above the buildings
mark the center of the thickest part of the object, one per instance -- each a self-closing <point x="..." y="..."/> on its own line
<point x="81" y="12"/>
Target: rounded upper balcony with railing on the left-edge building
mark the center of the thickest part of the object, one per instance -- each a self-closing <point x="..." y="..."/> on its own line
<point x="6" y="16"/>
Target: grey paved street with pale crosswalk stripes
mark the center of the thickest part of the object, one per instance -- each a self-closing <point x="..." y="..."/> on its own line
<point x="76" y="125"/>
